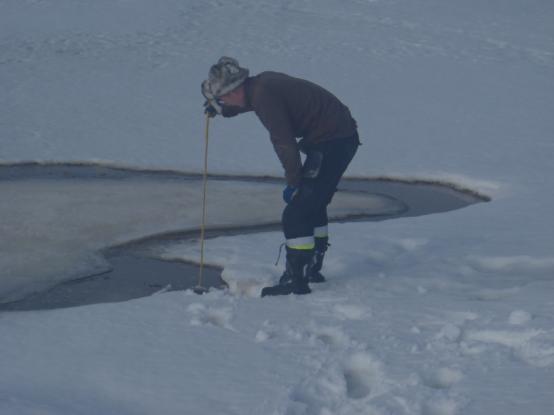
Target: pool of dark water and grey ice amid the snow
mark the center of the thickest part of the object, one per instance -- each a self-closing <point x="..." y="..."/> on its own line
<point x="98" y="232"/>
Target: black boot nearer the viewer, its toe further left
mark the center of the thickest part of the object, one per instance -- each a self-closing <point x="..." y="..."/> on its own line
<point x="295" y="277"/>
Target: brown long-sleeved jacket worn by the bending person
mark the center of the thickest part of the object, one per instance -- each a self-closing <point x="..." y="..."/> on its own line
<point x="293" y="108"/>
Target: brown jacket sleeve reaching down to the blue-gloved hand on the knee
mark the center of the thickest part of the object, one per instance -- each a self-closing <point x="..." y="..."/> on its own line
<point x="272" y="112"/>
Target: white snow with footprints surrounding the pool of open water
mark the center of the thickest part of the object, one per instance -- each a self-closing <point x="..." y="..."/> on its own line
<point x="435" y="315"/>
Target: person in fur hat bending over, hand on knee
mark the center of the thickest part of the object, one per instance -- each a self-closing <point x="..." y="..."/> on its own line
<point x="291" y="108"/>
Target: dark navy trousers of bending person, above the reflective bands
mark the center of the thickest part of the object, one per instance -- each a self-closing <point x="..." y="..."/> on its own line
<point x="308" y="209"/>
